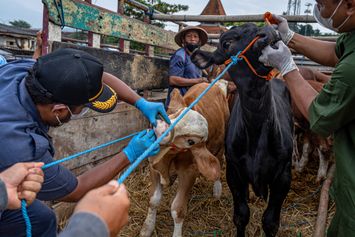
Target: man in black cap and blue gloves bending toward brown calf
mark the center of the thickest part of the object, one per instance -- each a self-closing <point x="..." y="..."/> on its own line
<point x="48" y="93"/>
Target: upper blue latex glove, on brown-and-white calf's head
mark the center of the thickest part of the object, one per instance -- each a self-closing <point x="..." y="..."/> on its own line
<point x="152" y="110"/>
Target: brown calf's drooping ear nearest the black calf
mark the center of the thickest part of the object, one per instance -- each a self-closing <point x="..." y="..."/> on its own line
<point x="206" y="162"/>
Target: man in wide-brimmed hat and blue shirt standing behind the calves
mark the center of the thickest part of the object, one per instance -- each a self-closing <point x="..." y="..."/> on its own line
<point x="182" y="72"/>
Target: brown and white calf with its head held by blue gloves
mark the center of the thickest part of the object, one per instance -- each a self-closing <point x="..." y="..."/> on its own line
<point x="196" y="146"/>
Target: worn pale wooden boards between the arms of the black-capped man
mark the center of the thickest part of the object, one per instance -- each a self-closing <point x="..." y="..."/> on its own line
<point x="95" y="129"/>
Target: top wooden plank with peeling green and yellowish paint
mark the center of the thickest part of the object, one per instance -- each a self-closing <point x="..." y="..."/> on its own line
<point x="81" y="15"/>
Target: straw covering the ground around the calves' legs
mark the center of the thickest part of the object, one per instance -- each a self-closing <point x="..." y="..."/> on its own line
<point x="210" y="217"/>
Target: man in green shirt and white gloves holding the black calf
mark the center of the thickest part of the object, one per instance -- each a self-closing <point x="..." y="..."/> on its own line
<point x="330" y="112"/>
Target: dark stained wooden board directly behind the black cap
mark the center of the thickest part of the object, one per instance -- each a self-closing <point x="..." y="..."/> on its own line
<point x="137" y="71"/>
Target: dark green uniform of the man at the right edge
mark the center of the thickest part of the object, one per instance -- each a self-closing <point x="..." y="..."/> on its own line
<point x="333" y="113"/>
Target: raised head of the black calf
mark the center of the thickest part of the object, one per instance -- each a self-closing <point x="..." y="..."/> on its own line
<point x="234" y="41"/>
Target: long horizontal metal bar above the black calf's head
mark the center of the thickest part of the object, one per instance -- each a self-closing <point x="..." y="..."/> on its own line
<point x="230" y="18"/>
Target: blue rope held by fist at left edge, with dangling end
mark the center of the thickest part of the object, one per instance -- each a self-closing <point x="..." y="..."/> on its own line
<point x="23" y="202"/>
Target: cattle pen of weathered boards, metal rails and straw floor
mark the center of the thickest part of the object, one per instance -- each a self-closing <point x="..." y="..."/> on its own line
<point x="147" y="72"/>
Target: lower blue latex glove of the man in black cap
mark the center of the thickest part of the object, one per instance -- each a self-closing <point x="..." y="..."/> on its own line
<point x="139" y="144"/>
